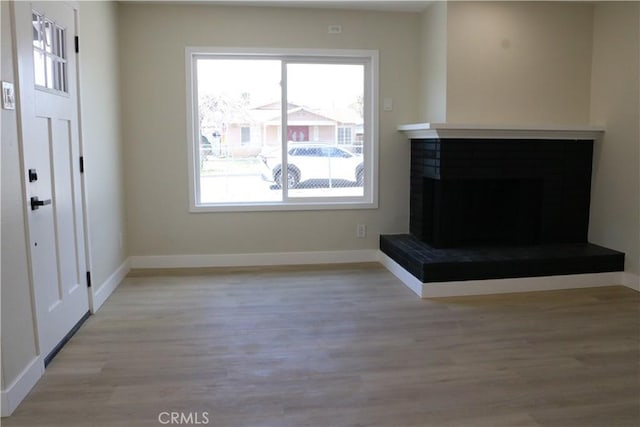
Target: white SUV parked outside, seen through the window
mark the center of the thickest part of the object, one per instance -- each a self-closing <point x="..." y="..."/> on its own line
<point x="312" y="161"/>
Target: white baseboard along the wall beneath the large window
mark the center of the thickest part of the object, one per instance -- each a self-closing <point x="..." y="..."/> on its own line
<point x="251" y="260"/>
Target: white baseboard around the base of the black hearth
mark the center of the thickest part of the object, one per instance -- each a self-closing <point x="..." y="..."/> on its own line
<point x="500" y="286"/>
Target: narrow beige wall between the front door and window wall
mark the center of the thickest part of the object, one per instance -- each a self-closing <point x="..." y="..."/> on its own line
<point x="101" y="136"/>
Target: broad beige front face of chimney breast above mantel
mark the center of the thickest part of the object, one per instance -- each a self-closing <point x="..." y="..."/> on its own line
<point x="518" y="62"/>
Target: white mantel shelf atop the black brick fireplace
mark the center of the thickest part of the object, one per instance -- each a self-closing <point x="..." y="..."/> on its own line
<point x="454" y="130"/>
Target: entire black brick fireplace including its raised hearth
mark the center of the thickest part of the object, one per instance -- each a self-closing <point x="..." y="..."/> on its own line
<point x="499" y="207"/>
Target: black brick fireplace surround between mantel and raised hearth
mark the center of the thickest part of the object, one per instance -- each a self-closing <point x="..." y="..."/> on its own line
<point x="470" y="192"/>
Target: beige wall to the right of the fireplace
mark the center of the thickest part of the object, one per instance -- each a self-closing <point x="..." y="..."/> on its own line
<point x="615" y="204"/>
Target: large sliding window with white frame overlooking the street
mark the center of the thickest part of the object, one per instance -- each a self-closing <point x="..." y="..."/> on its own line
<point x="282" y="129"/>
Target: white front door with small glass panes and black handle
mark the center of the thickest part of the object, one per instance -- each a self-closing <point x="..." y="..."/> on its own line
<point x="48" y="99"/>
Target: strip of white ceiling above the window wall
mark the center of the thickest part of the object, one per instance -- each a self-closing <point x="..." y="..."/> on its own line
<point x="380" y="5"/>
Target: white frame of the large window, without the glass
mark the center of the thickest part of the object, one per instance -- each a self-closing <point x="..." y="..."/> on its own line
<point x="368" y="58"/>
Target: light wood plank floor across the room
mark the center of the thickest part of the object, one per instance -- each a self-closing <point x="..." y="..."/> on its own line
<point x="343" y="346"/>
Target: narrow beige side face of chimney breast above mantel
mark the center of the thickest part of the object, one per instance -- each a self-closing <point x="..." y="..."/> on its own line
<point x="433" y="64"/>
